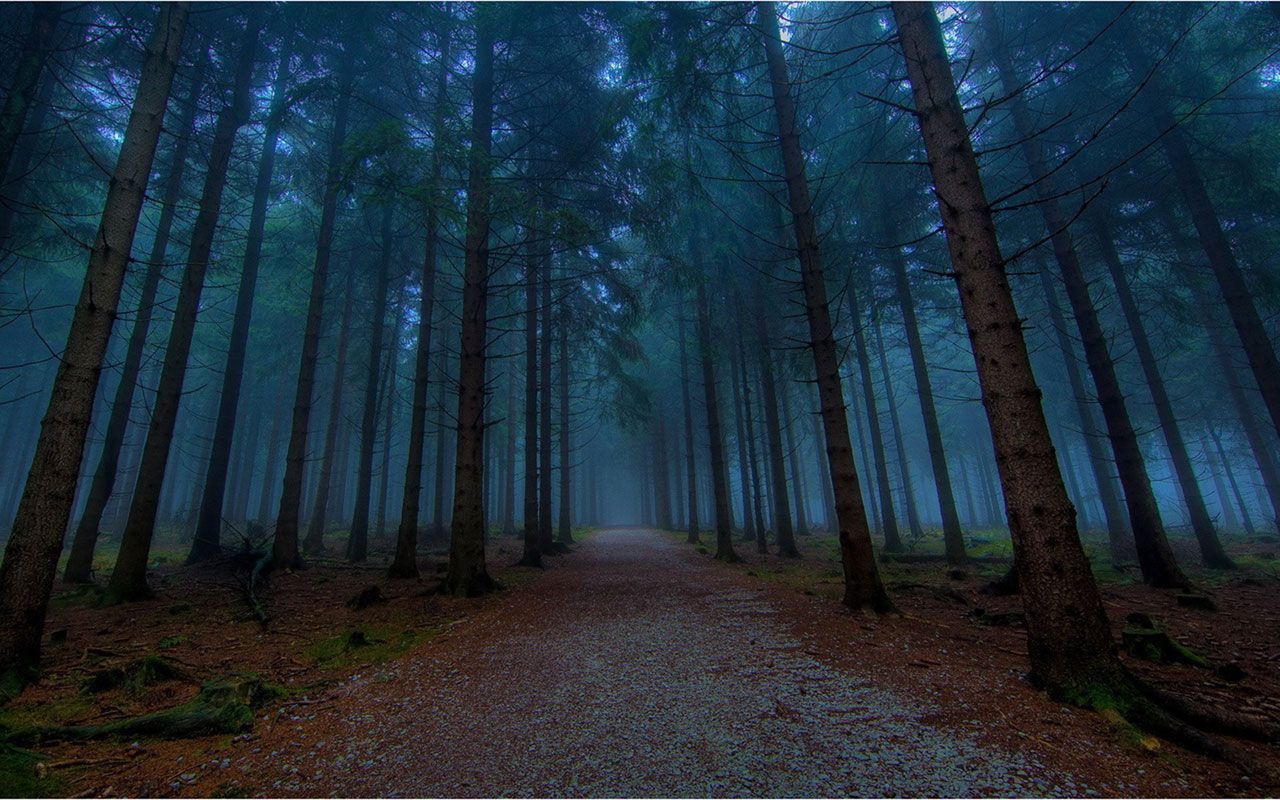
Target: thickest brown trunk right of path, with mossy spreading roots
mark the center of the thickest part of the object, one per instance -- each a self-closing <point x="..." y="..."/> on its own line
<point x="1069" y="639"/>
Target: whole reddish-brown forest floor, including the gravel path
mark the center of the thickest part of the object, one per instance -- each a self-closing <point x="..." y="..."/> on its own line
<point x="634" y="666"/>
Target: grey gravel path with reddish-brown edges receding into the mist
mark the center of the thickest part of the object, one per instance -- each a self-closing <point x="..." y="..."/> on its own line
<point x="632" y="668"/>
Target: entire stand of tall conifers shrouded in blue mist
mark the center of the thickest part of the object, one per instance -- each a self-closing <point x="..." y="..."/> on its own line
<point x="364" y="281"/>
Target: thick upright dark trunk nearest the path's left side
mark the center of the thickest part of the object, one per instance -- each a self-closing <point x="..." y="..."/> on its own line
<point x="468" y="573"/>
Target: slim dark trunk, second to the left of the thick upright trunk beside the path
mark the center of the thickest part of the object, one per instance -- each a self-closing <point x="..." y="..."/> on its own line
<point x="358" y="545"/>
